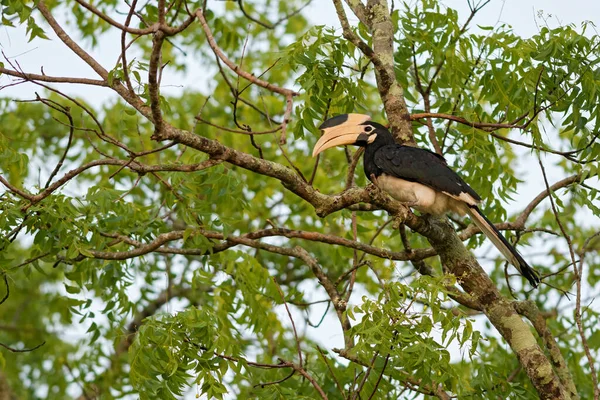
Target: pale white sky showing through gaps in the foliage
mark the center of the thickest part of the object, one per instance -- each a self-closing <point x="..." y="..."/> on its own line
<point x="522" y="15"/>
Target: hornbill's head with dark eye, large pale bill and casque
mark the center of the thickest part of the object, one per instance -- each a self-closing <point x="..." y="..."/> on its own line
<point x="353" y="129"/>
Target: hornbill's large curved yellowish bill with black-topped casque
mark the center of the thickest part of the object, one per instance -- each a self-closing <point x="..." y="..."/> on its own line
<point x="340" y="130"/>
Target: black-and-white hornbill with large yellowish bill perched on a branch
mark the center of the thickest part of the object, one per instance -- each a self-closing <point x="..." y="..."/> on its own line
<point x="416" y="177"/>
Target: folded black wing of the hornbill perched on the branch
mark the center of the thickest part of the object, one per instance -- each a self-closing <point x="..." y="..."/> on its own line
<point x="423" y="166"/>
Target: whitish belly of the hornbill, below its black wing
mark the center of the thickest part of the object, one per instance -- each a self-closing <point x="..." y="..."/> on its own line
<point x="420" y="197"/>
